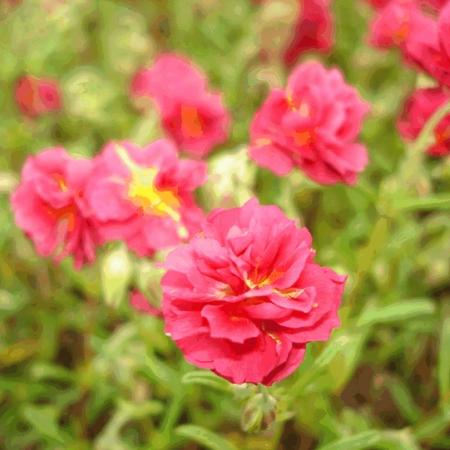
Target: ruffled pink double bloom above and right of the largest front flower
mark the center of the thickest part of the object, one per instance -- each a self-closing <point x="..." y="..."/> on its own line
<point x="312" y="124"/>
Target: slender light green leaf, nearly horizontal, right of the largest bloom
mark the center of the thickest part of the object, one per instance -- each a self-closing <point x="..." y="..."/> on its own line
<point x="397" y="312"/>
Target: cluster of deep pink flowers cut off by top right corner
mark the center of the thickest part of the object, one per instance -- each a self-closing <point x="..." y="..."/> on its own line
<point x="421" y="30"/>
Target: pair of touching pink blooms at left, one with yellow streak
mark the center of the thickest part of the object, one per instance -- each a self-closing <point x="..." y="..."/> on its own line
<point x="68" y="206"/>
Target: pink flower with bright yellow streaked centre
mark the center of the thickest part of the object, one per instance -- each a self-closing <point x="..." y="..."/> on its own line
<point x="144" y="196"/>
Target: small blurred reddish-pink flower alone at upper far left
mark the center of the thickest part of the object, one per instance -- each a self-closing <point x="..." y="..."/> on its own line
<point x="37" y="96"/>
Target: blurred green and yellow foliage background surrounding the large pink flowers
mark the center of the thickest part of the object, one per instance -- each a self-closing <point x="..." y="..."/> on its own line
<point x="80" y="369"/>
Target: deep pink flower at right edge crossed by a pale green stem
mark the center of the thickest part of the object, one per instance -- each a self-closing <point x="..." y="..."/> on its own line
<point x="418" y="109"/>
